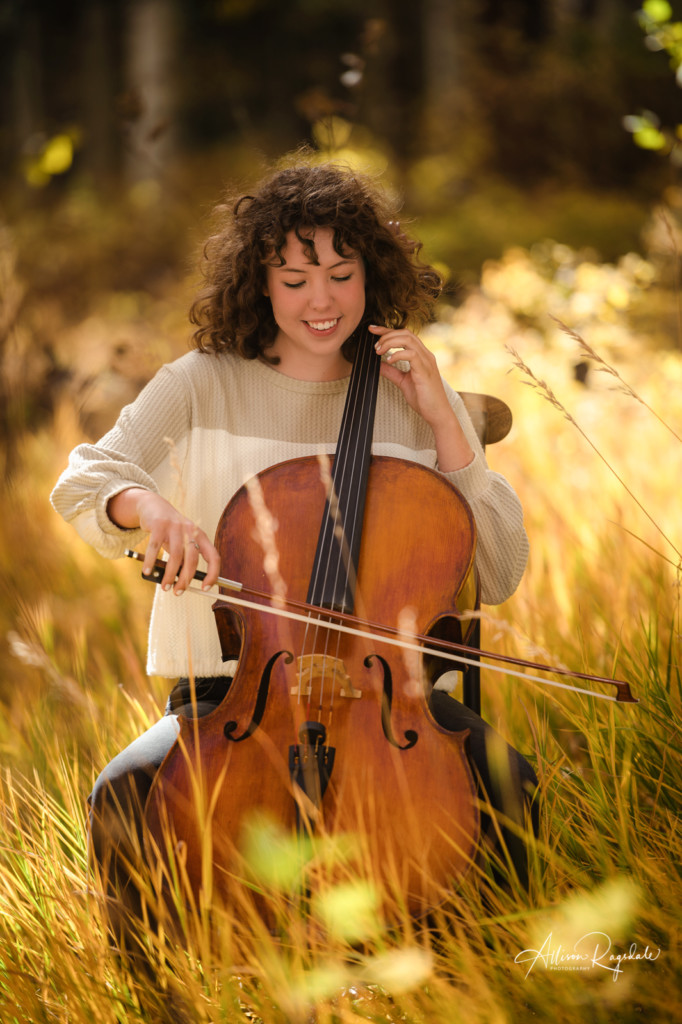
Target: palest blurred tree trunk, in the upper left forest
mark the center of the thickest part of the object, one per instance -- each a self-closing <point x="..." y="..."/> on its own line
<point x="151" y="64"/>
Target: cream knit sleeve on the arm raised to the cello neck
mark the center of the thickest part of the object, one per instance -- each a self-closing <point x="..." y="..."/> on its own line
<point x="502" y="548"/>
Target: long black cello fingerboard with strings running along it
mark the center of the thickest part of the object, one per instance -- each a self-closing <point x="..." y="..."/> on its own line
<point x="335" y="567"/>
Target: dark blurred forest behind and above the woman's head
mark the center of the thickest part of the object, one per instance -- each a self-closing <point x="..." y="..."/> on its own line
<point x="502" y="124"/>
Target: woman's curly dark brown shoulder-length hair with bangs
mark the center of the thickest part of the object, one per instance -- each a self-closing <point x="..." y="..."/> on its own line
<point x="233" y="312"/>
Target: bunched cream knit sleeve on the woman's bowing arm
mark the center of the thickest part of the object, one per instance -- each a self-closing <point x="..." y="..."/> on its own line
<point x="141" y="451"/>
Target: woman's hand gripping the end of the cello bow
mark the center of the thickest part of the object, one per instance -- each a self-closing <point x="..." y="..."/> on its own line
<point x="170" y="532"/>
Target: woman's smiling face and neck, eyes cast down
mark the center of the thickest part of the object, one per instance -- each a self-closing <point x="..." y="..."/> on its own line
<point x="317" y="307"/>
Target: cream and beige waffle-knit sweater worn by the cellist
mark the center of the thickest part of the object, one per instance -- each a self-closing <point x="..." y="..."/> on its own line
<point x="204" y="424"/>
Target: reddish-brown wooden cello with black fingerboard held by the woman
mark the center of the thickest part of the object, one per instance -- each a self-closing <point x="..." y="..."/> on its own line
<point x="324" y="732"/>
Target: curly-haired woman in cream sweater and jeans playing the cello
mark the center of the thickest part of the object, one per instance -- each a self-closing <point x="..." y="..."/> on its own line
<point x="293" y="272"/>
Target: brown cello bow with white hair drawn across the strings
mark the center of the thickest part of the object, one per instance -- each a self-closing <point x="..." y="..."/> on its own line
<point x="345" y="623"/>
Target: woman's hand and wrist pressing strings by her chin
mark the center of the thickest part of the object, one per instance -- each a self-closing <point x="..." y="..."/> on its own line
<point x="424" y="392"/>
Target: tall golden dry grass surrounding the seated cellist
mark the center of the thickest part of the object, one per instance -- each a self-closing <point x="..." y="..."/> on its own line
<point x="602" y="594"/>
